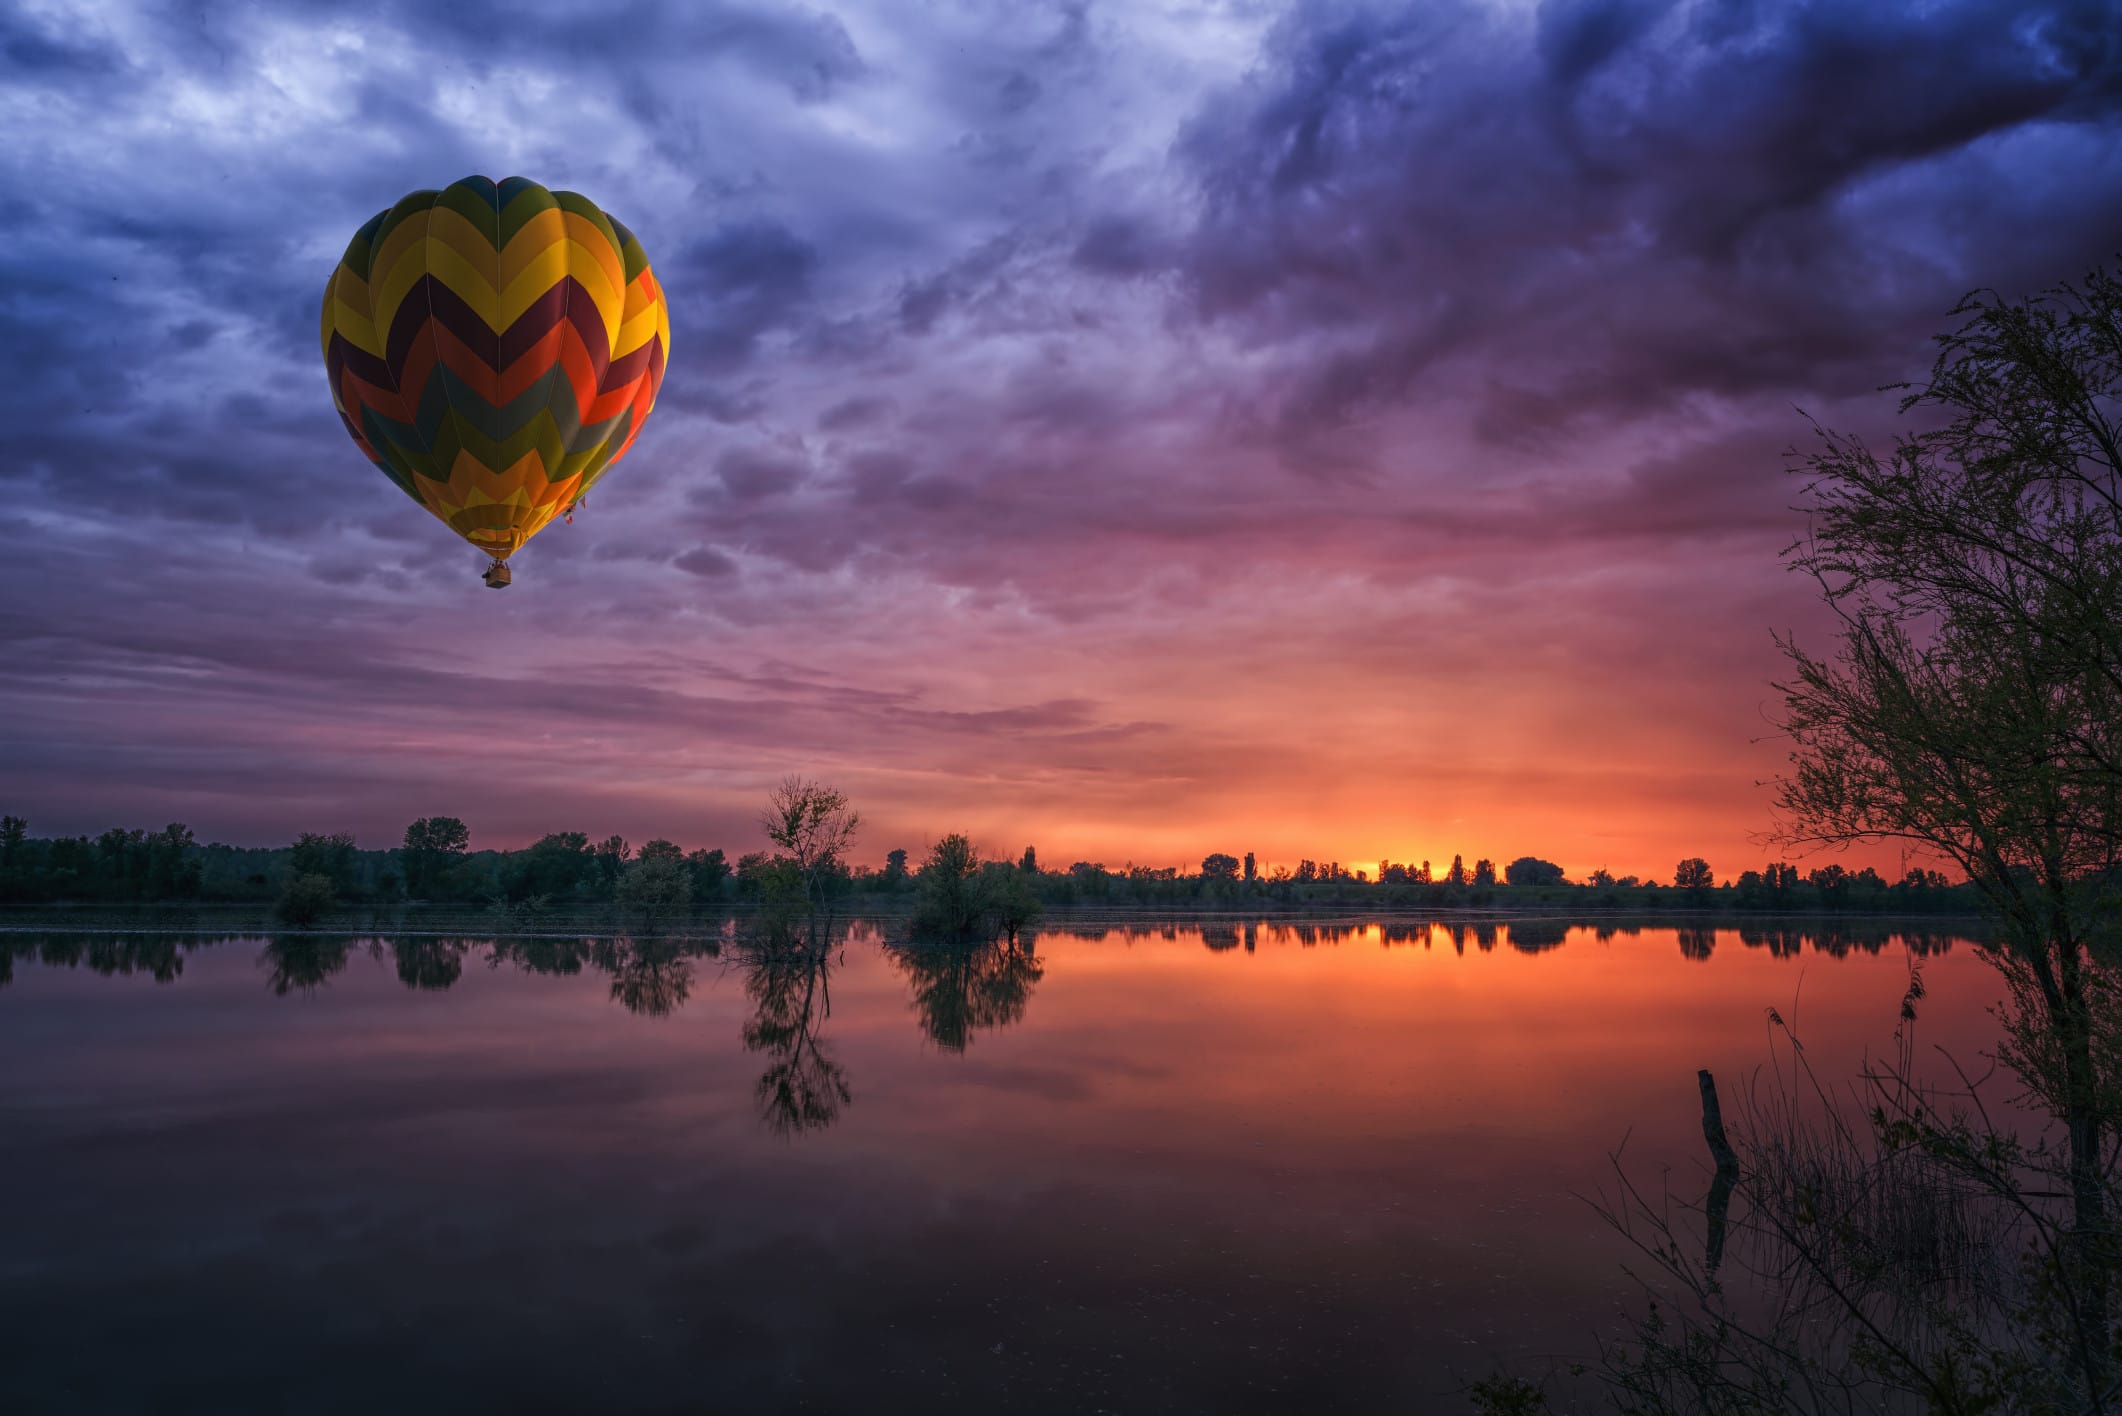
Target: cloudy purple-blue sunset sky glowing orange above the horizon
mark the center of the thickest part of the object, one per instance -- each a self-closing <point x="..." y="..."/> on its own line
<point x="1141" y="430"/>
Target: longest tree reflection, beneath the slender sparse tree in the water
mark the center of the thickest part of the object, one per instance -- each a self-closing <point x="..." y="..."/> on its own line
<point x="788" y="984"/>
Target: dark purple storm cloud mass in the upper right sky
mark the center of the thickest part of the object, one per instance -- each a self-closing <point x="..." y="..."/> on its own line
<point x="1646" y="201"/>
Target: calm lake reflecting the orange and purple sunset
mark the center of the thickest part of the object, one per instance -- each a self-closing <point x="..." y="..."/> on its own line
<point x="1217" y="1164"/>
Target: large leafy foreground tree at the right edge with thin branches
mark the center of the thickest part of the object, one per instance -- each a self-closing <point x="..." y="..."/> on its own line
<point x="1972" y="706"/>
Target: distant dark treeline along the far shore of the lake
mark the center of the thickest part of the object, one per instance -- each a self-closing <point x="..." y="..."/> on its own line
<point x="436" y="865"/>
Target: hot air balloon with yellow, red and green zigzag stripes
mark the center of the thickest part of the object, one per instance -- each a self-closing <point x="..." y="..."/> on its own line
<point x="495" y="349"/>
